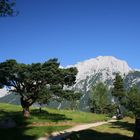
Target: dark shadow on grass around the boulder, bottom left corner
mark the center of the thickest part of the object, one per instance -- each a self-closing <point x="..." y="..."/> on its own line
<point x="18" y="132"/>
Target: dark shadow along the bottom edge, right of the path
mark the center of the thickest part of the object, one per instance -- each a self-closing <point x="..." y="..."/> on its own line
<point x="90" y="134"/>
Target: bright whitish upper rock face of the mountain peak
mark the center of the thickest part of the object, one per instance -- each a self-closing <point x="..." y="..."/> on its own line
<point x="102" y="63"/>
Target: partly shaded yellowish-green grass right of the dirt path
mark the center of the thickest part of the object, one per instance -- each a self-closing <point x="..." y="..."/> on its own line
<point x="120" y="130"/>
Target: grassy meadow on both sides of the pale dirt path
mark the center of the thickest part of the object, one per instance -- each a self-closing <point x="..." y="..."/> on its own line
<point x="50" y="120"/>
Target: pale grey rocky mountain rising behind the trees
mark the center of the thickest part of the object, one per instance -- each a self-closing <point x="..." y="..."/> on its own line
<point x="92" y="71"/>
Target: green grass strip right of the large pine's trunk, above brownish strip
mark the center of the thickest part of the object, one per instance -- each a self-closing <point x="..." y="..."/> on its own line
<point x="54" y="115"/>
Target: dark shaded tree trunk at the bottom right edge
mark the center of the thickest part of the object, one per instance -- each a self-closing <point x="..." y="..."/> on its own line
<point x="136" y="135"/>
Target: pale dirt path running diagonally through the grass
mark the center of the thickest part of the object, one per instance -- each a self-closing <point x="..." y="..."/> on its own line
<point x="61" y="134"/>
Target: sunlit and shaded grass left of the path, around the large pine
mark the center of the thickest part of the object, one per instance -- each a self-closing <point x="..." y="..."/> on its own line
<point x="55" y="118"/>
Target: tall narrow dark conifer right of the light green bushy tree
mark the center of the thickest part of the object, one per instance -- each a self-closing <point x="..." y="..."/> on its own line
<point x="118" y="93"/>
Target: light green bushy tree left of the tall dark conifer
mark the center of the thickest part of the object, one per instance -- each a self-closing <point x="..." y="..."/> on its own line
<point x="99" y="98"/>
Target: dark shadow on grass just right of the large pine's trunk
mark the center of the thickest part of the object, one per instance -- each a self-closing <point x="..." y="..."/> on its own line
<point x="53" y="117"/>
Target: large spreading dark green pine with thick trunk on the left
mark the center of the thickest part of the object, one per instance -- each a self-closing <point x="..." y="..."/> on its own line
<point x="31" y="80"/>
